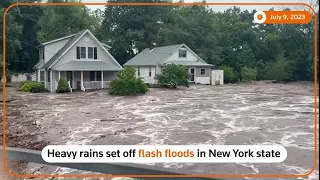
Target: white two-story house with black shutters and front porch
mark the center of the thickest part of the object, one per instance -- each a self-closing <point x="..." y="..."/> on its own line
<point x="80" y="58"/>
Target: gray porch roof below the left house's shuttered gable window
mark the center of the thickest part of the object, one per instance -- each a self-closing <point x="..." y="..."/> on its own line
<point x="92" y="65"/>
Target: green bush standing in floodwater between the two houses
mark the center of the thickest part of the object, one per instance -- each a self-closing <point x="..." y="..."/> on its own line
<point x="127" y="84"/>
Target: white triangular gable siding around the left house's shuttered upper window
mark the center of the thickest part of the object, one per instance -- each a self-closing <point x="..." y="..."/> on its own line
<point x="72" y="53"/>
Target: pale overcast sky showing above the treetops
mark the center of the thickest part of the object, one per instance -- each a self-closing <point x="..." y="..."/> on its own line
<point x="222" y="8"/>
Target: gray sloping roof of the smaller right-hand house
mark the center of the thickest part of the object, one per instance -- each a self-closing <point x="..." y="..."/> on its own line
<point x="145" y="57"/>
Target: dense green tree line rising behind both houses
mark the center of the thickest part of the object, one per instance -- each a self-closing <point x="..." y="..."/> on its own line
<point x="225" y="39"/>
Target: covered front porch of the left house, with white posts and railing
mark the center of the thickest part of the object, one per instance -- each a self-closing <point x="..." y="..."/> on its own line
<point x="83" y="75"/>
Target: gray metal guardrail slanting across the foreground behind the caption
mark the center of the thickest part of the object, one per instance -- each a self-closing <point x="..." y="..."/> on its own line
<point x="19" y="154"/>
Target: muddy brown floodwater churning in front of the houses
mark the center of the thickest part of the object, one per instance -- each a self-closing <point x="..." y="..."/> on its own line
<point x="240" y="114"/>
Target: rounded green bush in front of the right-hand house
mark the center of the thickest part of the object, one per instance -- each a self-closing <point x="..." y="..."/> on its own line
<point x="173" y="76"/>
